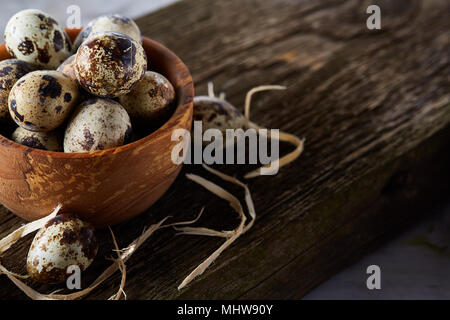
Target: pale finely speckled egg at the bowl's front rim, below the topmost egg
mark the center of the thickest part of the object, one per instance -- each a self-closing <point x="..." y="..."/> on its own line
<point x="97" y="124"/>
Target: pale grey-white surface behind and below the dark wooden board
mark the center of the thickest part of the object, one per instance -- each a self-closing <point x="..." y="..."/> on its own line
<point x="414" y="265"/>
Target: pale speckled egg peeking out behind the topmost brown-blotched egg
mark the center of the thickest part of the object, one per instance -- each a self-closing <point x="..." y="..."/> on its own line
<point x="112" y="22"/>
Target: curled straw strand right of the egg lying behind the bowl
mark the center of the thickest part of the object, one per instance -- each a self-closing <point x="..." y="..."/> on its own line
<point x="283" y="136"/>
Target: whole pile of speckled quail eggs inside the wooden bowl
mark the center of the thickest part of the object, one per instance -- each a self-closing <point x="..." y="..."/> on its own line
<point x="100" y="93"/>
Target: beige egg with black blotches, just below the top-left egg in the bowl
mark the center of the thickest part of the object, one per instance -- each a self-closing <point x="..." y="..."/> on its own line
<point x="42" y="100"/>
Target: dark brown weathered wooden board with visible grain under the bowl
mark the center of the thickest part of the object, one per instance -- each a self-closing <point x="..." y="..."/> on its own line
<point x="374" y="107"/>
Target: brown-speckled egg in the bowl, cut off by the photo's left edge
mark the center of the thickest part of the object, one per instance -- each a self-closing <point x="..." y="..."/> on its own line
<point x="11" y="70"/>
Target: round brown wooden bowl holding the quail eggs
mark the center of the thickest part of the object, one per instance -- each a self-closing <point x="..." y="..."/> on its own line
<point x="103" y="187"/>
